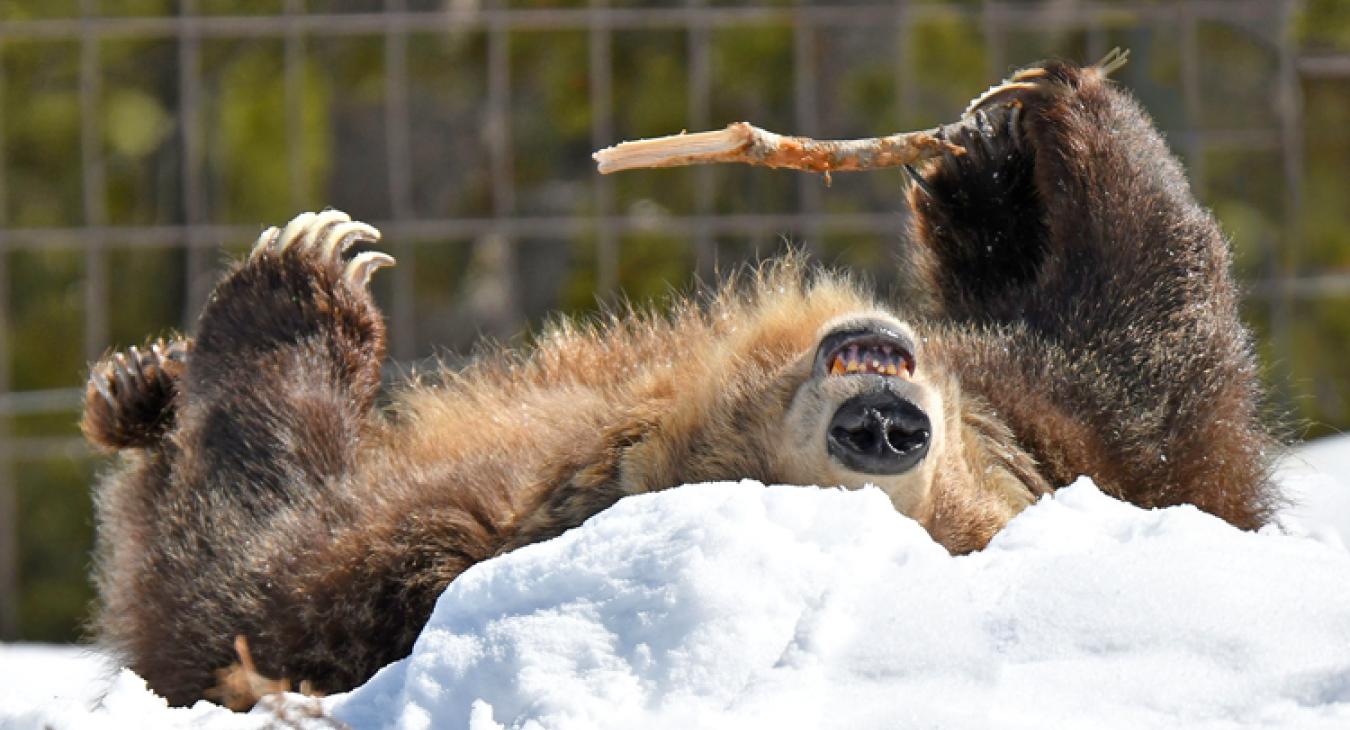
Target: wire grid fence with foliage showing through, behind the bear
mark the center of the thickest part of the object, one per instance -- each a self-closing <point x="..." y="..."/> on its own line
<point x="144" y="138"/>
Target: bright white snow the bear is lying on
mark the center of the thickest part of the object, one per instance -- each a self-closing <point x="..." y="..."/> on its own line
<point x="747" y="607"/>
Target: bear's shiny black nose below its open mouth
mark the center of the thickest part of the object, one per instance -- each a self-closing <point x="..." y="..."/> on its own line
<point x="880" y="434"/>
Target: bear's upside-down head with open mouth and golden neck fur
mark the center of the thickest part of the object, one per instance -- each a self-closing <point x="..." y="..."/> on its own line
<point x="807" y="380"/>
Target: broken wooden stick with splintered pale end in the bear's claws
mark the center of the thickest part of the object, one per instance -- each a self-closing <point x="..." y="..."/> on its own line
<point x="743" y="142"/>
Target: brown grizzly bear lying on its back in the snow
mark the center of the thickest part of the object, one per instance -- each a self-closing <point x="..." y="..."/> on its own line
<point x="1069" y="311"/>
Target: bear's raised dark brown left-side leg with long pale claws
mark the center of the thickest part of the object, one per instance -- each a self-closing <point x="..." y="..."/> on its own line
<point x="287" y="364"/>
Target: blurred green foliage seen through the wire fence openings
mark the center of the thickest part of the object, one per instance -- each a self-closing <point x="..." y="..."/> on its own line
<point x="272" y="145"/>
